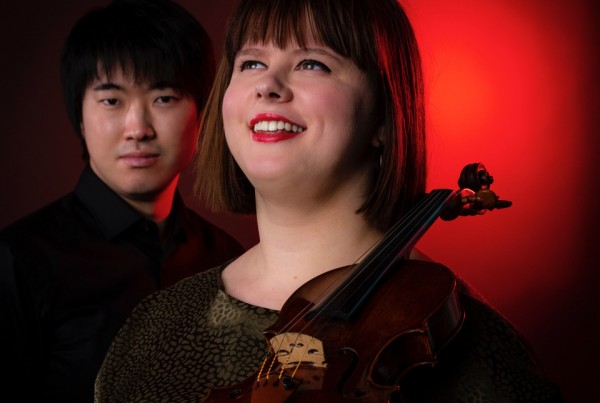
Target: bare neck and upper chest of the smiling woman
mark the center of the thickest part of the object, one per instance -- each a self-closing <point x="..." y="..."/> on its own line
<point x="295" y="247"/>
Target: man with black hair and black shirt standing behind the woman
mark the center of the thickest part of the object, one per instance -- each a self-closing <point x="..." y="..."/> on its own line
<point x="135" y="76"/>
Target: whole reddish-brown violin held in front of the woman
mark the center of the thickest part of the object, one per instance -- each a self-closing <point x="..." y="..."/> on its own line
<point x="354" y="332"/>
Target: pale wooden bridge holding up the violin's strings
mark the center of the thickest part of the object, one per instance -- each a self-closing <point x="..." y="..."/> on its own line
<point x="293" y="349"/>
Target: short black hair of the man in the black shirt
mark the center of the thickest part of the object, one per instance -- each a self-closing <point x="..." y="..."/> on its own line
<point x="155" y="41"/>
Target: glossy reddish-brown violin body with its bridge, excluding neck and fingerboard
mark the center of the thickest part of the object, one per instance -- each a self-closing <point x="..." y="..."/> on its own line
<point x="413" y="315"/>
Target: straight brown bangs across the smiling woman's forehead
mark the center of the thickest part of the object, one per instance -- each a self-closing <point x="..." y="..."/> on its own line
<point x="345" y="29"/>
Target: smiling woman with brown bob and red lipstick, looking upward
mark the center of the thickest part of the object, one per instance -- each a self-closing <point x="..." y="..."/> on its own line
<point x="316" y="124"/>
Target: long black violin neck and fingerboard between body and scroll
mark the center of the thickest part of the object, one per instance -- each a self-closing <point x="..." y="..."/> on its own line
<point x="397" y="243"/>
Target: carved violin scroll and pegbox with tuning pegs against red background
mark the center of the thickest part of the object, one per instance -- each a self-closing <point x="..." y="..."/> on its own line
<point x="474" y="196"/>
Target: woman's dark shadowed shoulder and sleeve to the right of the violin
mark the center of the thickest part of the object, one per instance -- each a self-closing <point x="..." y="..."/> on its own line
<point x="488" y="360"/>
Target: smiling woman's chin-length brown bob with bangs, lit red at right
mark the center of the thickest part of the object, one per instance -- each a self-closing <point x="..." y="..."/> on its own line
<point x="377" y="36"/>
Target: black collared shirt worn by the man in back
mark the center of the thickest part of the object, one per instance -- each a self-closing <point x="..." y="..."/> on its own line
<point x="72" y="272"/>
